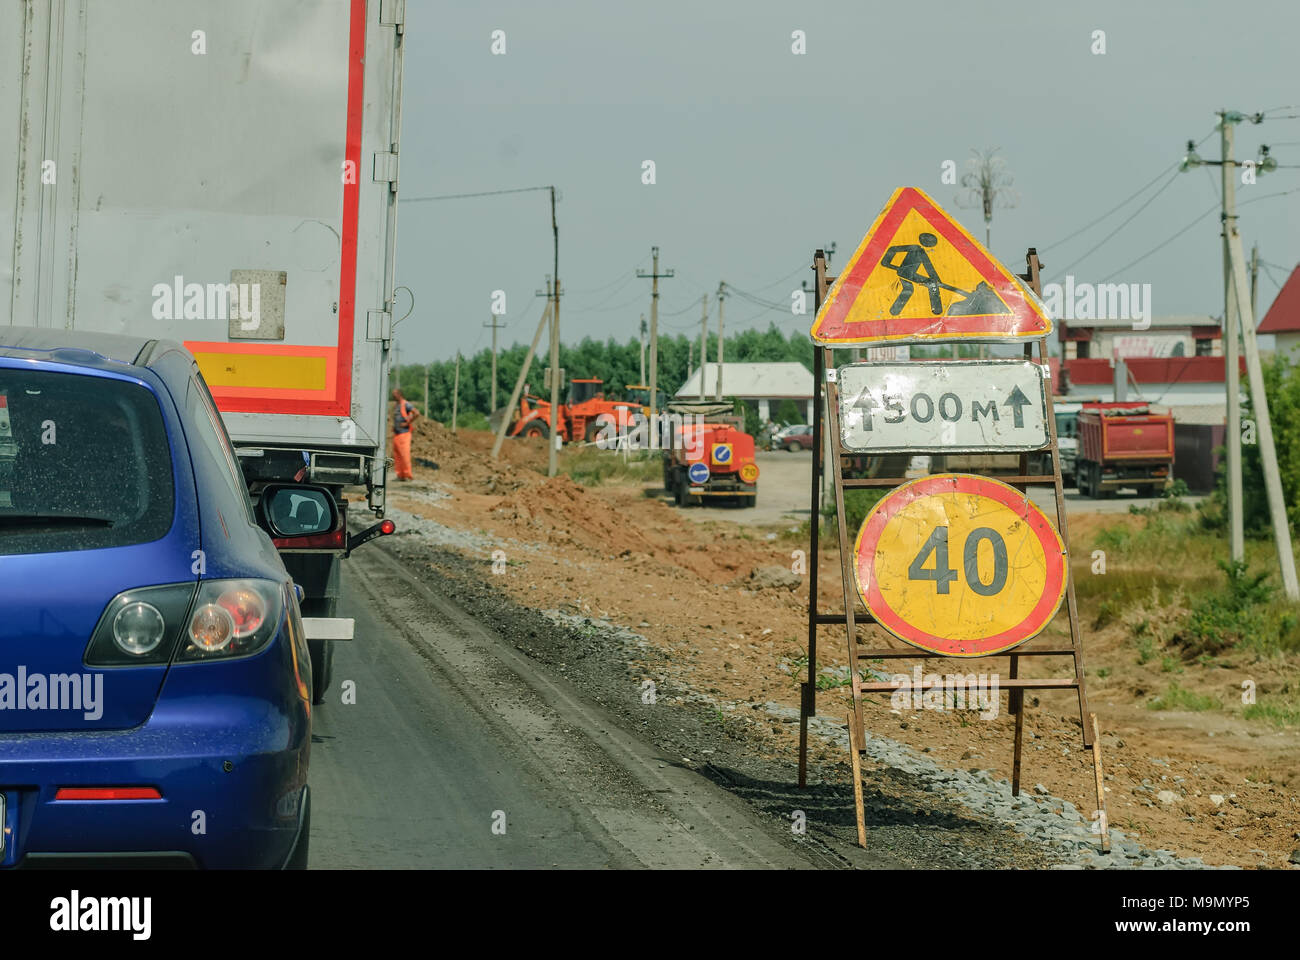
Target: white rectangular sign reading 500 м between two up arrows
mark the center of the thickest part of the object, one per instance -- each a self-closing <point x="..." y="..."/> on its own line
<point x="943" y="407"/>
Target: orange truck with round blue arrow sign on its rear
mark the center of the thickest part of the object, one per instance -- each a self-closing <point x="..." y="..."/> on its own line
<point x="710" y="457"/>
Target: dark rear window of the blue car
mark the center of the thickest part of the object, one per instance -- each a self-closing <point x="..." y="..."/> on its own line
<point x="85" y="464"/>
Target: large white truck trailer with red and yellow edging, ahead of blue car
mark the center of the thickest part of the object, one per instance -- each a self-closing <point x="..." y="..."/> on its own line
<point x="224" y="176"/>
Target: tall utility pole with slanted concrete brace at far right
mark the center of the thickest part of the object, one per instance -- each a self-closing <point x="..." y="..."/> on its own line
<point x="1255" y="371"/>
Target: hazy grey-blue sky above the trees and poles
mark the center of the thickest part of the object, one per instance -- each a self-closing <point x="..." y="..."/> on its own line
<point x="764" y="155"/>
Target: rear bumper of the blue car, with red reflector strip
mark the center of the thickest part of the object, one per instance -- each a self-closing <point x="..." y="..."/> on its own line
<point x="231" y="773"/>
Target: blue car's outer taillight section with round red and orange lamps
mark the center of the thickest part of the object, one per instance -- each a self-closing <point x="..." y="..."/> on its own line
<point x="233" y="619"/>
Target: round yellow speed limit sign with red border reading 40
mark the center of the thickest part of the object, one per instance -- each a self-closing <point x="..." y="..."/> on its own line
<point x="960" y="565"/>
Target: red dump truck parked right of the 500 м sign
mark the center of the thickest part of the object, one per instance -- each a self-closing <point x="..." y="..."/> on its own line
<point x="1124" y="446"/>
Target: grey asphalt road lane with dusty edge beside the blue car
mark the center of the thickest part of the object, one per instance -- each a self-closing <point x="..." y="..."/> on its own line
<point x="456" y="733"/>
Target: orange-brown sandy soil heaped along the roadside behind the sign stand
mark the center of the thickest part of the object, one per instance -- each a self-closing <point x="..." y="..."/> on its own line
<point x="686" y="586"/>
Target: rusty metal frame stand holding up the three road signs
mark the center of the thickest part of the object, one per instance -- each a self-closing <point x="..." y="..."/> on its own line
<point x="827" y="414"/>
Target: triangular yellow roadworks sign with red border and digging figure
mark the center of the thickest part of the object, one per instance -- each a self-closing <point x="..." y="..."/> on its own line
<point x="920" y="276"/>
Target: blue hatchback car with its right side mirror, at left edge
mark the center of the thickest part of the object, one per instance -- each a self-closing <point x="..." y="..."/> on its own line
<point x="155" y="680"/>
